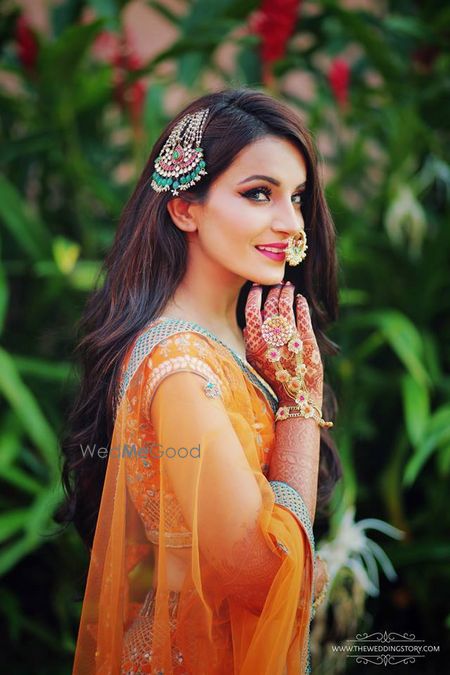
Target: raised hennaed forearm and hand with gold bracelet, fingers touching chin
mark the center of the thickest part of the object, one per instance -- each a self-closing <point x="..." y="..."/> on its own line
<point x="283" y="348"/>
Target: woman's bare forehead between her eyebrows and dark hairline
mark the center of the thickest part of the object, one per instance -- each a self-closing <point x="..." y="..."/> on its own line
<point x="270" y="155"/>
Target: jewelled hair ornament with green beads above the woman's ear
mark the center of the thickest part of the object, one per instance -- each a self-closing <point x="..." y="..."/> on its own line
<point x="180" y="163"/>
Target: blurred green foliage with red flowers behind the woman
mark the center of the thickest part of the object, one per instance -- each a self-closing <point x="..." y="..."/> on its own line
<point x="80" y="110"/>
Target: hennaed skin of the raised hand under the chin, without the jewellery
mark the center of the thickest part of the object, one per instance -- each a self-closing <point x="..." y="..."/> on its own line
<point x="280" y="302"/>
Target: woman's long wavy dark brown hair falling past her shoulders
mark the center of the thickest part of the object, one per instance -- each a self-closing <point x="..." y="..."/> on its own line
<point x="146" y="263"/>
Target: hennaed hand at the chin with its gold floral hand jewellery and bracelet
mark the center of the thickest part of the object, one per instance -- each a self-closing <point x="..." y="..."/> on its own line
<point x="283" y="350"/>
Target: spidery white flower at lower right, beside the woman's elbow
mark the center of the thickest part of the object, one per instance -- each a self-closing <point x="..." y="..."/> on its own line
<point x="351" y="548"/>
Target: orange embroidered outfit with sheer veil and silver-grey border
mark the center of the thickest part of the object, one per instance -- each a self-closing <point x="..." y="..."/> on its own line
<point x="243" y="604"/>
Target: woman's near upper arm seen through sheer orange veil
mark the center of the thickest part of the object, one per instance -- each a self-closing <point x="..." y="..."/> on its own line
<point x="219" y="493"/>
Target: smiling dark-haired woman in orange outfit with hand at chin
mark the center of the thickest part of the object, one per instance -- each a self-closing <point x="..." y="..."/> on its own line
<point x="196" y="494"/>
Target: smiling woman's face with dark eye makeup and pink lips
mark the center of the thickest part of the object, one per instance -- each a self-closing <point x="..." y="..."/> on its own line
<point x="242" y="212"/>
